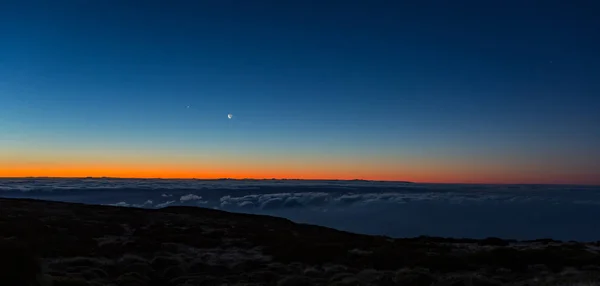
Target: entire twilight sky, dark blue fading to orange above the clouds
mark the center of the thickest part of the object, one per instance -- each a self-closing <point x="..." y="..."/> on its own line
<point x="428" y="91"/>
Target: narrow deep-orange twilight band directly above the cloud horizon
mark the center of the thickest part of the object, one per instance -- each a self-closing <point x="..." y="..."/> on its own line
<point x="218" y="172"/>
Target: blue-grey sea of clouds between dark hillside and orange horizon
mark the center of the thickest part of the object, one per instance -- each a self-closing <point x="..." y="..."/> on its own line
<point x="383" y="208"/>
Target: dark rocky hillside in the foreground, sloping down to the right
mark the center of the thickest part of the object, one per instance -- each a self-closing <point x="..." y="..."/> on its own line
<point x="53" y="243"/>
